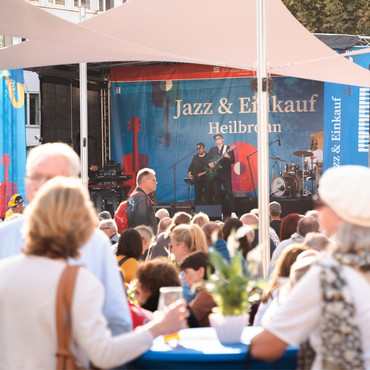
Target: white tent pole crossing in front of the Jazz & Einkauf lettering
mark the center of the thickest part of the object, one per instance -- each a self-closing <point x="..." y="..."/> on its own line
<point x="262" y="137"/>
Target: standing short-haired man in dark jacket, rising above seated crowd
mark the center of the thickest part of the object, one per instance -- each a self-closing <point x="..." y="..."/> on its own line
<point x="140" y="210"/>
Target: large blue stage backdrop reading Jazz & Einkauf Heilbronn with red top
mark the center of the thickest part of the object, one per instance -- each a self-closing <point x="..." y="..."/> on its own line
<point x="160" y="113"/>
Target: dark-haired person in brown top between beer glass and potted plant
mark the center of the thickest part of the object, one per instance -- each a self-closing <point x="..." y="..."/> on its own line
<point x="195" y="267"/>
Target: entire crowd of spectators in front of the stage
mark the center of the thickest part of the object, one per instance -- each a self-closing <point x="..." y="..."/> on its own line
<point x="318" y="272"/>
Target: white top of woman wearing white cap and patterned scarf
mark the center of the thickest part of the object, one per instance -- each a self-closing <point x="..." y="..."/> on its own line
<point x="299" y="317"/>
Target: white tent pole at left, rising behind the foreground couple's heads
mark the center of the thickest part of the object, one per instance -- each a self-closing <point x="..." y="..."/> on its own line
<point x="83" y="114"/>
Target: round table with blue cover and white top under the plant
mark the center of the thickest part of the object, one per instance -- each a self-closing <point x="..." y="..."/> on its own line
<point x="199" y="348"/>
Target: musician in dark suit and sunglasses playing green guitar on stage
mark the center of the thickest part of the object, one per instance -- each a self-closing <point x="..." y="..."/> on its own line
<point x="223" y="176"/>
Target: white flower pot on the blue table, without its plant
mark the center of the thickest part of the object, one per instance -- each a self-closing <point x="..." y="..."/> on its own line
<point x="229" y="328"/>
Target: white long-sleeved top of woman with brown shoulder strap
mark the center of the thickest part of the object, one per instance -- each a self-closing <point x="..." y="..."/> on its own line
<point x="28" y="338"/>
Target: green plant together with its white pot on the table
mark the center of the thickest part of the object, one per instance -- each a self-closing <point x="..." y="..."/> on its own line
<point x="233" y="289"/>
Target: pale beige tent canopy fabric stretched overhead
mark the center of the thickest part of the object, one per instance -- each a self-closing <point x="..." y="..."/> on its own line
<point x="215" y="32"/>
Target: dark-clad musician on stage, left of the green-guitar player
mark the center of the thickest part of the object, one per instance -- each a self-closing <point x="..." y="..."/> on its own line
<point x="197" y="174"/>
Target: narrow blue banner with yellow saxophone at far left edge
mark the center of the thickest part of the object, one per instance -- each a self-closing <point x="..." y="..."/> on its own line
<point x="13" y="136"/>
